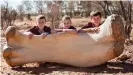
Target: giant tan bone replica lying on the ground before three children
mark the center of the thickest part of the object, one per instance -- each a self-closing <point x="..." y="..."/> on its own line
<point x="81" y="50"/>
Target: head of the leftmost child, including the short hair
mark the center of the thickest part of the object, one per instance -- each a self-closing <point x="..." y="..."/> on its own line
<point x="41" y="20"/>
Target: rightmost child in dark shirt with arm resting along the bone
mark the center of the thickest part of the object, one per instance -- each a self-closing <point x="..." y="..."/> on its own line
<point x="92" y="26"/>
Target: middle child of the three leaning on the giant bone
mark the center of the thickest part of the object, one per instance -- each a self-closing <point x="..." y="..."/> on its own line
<point x="66" y="25"/>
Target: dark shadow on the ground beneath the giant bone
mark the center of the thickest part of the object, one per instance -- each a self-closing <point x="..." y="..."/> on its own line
<point x="109" y="67"/>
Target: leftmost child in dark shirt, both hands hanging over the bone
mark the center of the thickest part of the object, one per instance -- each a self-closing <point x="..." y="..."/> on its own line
<point x="40" y="28"/>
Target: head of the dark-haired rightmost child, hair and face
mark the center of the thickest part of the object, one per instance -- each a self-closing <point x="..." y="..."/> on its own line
<point x="95" y="17"/>
